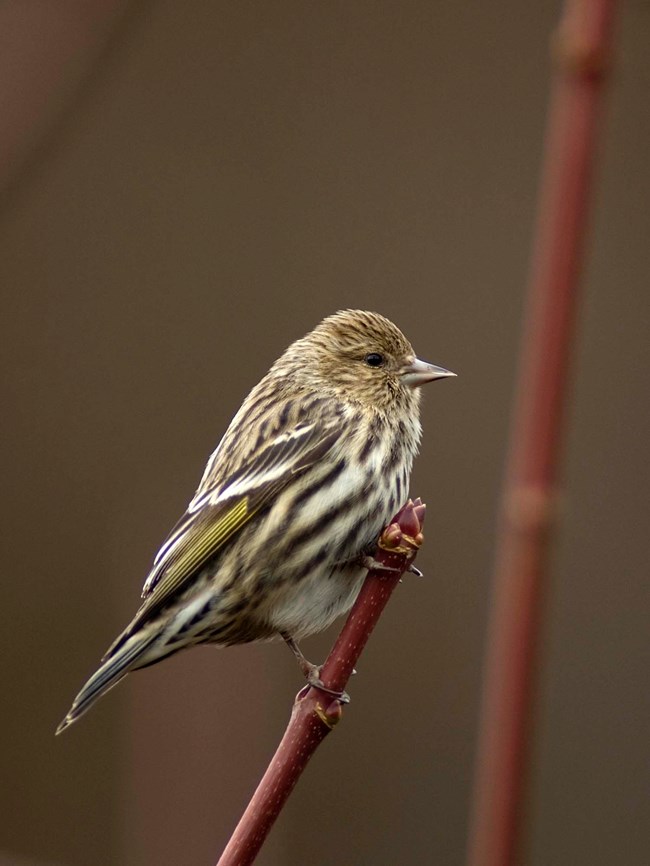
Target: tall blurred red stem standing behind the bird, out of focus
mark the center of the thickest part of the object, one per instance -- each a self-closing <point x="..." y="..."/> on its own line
<point x="581" y="52"/>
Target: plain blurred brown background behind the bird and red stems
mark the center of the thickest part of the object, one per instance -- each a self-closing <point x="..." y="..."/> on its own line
<point x="187" y="188"/>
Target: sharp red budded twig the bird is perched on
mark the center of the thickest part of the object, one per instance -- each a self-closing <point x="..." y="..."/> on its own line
<point x="315" y="713"/>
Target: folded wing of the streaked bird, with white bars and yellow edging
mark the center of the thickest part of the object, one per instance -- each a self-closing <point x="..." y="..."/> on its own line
<point x="222" y="512"/>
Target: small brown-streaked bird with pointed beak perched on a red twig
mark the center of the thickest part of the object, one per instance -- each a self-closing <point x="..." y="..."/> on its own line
<point x="275" y="541"/>
